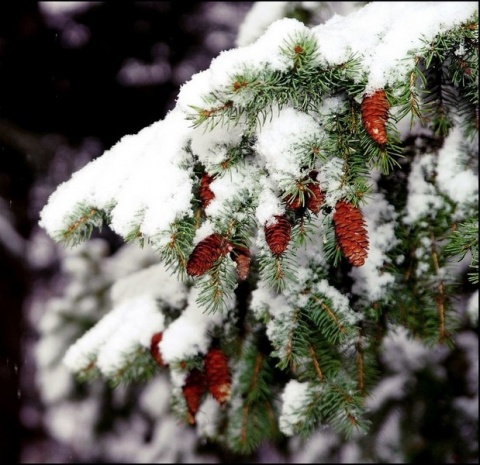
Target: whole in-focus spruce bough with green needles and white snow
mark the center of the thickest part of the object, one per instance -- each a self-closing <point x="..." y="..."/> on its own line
<point x="303" y="333"/>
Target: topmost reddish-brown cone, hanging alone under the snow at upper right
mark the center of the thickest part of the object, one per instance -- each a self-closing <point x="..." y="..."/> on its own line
<point x="374" y="110"/>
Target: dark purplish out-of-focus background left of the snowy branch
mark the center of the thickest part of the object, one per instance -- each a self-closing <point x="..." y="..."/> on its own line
<point x="74" y="78"/>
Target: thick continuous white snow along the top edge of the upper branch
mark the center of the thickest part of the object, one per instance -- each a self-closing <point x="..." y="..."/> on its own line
<point x="140" y="177"/>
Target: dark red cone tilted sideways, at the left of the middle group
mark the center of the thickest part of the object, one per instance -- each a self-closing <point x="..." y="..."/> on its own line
<point x="206" y="253"/>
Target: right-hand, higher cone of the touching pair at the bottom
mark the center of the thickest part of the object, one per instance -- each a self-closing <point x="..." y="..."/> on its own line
<point x="217" y="375"/>
